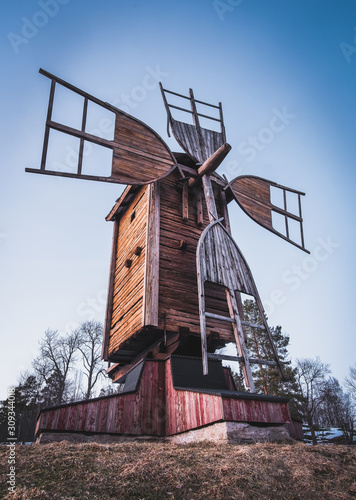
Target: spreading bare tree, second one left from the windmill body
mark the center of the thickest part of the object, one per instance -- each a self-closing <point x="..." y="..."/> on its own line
<point x="54" y="363"/>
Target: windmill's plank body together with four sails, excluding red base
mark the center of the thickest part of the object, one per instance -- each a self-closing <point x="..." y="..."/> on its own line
<point x="176" y="274"/>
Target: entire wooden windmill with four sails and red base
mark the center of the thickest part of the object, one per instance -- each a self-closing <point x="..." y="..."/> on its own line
<point x="177" y="279"/>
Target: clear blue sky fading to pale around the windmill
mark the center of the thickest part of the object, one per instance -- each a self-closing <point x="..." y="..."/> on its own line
<point x="262" y="59"/>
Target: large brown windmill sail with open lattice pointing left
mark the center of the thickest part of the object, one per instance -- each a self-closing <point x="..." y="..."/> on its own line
<point x="134" y="144"/>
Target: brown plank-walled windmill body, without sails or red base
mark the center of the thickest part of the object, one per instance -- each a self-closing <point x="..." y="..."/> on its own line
<point x="153" y="293"/>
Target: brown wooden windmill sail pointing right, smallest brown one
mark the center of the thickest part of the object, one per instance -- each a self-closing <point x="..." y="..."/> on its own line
<point x="253" y="194"/>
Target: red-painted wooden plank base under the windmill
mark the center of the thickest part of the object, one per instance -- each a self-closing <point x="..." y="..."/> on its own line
<point x="153" y="406"/>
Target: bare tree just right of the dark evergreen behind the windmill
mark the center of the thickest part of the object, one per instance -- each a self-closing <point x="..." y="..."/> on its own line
<point x="311" y="375"/>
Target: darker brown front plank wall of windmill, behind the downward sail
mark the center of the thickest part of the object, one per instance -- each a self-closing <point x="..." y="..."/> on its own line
<point x="178" y="291"/>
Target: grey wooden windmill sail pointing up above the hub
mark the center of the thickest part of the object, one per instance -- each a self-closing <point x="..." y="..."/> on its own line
<point x="198" y="142"/>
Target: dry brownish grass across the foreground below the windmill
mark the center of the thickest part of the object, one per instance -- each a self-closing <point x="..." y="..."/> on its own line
<point x="162" y="470"/>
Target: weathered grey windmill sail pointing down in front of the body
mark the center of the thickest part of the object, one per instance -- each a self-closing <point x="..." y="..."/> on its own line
<point x="220" y="261"/>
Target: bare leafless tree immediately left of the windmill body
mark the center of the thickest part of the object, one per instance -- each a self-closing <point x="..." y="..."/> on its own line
<point x="90" y="334"/>
